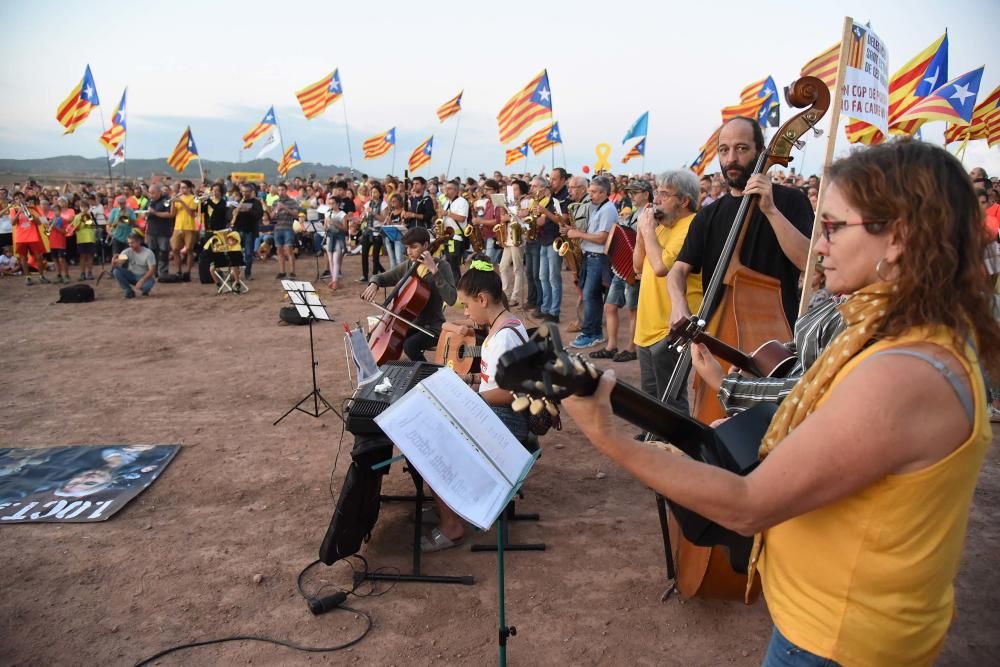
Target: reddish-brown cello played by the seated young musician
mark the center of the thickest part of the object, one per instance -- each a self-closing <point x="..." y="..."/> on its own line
<point x="403" y="305"/>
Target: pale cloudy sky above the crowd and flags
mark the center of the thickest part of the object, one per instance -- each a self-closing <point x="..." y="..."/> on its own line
<point x="219" y="66"/>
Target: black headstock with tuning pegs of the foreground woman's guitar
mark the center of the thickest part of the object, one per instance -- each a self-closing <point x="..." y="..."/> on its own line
<point x="543" y="369"/>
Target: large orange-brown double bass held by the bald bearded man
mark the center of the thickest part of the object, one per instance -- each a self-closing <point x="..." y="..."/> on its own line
<point x="744" y="310"/>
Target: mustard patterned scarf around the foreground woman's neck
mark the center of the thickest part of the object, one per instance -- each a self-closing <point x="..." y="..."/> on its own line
<point x="863" y="313"/>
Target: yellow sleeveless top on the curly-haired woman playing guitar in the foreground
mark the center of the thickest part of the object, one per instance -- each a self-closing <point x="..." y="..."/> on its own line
<point x="867" y="580"/>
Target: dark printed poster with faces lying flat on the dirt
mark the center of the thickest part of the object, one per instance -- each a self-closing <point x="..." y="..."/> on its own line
<point x="76" y="484"/>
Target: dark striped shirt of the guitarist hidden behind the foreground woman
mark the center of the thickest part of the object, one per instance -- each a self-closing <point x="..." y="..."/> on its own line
<point x="814" y="331"/>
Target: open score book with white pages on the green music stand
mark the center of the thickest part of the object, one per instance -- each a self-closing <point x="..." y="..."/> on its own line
<point x="459" y="446"/>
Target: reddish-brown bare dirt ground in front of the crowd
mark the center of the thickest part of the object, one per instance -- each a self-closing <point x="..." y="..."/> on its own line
<point x="245" y="498"/>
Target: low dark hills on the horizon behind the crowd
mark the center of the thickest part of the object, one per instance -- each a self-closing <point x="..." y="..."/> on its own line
<point x="75" y="168"/>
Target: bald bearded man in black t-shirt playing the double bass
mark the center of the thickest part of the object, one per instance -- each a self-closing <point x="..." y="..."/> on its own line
<point x="777" y="237"/>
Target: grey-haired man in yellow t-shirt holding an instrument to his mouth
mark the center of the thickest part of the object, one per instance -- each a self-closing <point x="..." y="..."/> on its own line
<point x="656" y="247"/>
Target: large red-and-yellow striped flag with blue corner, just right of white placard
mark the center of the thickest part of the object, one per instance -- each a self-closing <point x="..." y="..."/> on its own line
<point x="924" y="73"/>
